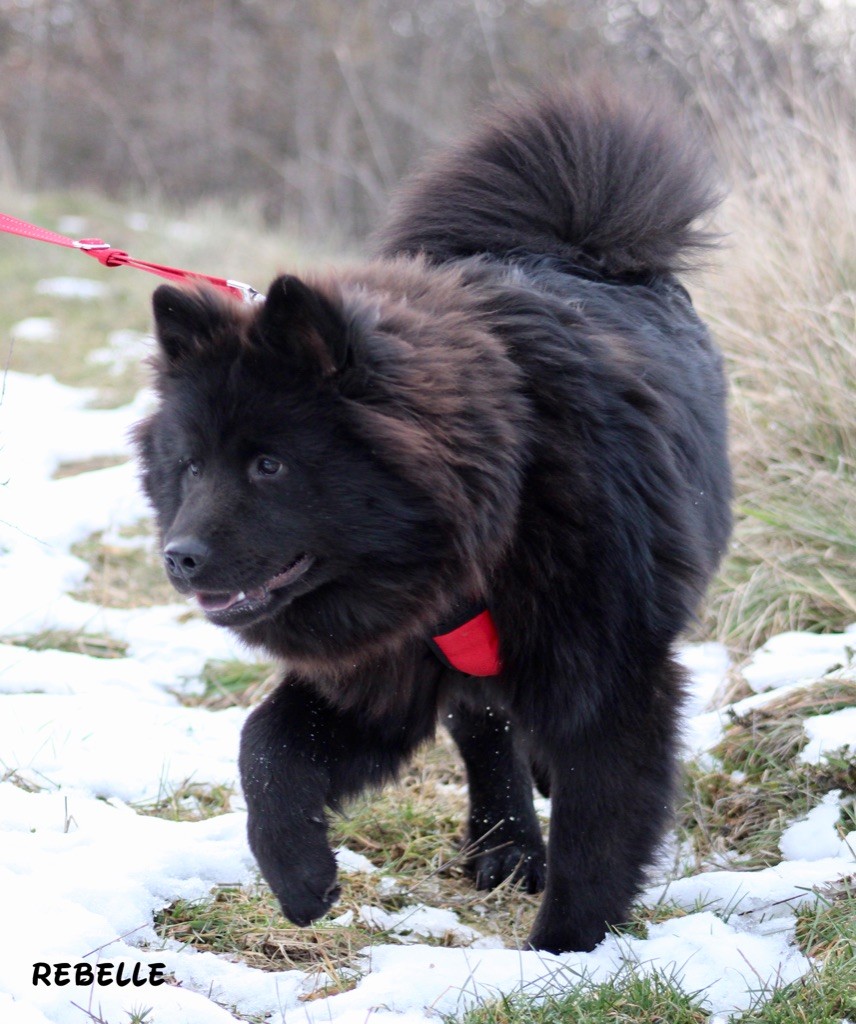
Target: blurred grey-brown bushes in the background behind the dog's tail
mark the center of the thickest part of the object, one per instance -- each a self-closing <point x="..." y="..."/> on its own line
<point x="316" y="108"/>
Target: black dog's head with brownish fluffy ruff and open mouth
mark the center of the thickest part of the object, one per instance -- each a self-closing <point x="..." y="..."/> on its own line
<point x="310" y="491"/>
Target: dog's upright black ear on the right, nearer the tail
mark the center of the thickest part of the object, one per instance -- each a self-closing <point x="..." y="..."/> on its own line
<point x="306" y="327"/>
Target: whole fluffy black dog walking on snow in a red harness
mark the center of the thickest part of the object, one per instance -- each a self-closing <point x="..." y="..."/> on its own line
<point x="513" y="408"/>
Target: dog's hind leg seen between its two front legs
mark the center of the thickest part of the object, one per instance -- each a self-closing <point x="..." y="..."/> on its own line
<point x="504" y="837"/>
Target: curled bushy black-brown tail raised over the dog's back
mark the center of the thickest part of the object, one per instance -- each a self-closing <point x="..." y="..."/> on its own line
<point x="586" y="176"/>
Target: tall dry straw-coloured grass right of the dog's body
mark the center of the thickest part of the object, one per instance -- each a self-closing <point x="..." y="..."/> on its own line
<point x="783" y="303"/>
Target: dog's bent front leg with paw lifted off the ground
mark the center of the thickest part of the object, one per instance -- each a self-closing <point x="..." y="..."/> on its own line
<point x="299" y="755"/>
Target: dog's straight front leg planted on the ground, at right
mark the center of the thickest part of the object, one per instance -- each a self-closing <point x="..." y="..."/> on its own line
<point x="612" y="789"/>
